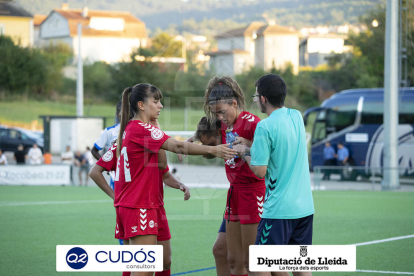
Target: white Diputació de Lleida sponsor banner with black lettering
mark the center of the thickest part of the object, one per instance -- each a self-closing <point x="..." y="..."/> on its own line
<point x="302" y="258"/>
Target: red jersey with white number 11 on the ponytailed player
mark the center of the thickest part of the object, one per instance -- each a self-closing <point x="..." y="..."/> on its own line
<point x="137" y="178"/>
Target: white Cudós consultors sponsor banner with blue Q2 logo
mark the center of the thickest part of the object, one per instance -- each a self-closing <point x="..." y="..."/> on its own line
<point x="109" y="258"/>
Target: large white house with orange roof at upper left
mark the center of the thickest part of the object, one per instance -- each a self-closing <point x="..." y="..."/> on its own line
<point x="108" y="36"/>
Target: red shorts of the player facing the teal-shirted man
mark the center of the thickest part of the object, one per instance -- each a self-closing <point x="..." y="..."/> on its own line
<point x="245" y="204"/>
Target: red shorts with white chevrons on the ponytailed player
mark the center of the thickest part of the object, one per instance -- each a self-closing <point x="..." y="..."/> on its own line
<point x="131" y="222"/>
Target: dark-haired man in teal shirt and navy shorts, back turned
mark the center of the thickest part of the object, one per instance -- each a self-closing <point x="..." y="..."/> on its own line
<point x="280" y="155"/>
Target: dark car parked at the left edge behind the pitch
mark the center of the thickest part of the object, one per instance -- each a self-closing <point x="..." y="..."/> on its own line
<point x="10" y="138"/>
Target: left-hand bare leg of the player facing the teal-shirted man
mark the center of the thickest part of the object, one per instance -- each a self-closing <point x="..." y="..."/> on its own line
<point x="234" y="248"/>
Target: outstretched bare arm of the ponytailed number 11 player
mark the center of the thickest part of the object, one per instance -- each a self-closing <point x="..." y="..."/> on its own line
<point x="221" y="151"/>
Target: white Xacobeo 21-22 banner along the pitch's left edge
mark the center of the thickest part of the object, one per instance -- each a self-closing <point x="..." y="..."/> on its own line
<point x="35" y="175"/>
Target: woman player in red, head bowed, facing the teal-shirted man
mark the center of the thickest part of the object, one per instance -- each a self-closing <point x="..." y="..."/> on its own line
<point x="224" y="100"/>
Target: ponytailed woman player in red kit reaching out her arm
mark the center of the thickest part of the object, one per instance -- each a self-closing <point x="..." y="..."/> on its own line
<point x="137" y="176"/>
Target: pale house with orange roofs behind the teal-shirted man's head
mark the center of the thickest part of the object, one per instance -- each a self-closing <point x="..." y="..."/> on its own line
<point x="257" y="44"/>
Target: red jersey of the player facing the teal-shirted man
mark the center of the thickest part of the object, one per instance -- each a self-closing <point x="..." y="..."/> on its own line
<point x="238" y="171"/>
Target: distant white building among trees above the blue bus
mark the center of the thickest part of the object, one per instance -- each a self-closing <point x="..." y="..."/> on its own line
<point x="314" y="49"/>
